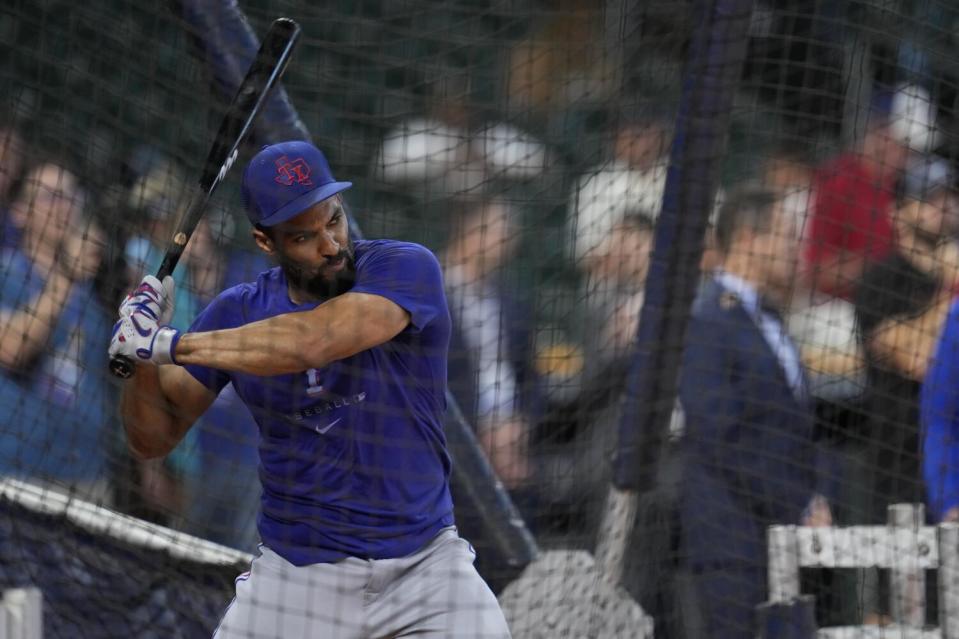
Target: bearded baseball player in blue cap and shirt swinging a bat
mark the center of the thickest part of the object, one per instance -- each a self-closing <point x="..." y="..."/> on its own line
<point x="340" y="353"/>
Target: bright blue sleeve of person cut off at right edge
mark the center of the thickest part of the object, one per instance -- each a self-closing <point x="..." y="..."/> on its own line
<point x="939" y="410"/>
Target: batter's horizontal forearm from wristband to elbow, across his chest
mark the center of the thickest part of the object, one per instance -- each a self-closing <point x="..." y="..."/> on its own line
<point x="276" y="346"/>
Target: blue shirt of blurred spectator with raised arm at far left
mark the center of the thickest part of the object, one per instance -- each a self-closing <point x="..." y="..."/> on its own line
<point x="57" y="413"/>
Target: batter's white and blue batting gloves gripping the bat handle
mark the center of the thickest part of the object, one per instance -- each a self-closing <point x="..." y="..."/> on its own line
<point x="139" y="333"/>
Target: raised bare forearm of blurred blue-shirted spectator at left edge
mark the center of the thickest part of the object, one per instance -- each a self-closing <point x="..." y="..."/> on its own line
<point x="25" y="332"/>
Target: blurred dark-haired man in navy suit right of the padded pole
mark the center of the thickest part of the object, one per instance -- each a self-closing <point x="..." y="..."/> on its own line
<point x="747" y="456"/>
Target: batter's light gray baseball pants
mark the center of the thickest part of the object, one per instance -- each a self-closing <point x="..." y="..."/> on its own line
<point x="433" y="593"/>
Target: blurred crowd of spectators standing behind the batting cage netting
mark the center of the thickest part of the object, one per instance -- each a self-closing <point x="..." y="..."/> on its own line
<point x="817" y="383"/>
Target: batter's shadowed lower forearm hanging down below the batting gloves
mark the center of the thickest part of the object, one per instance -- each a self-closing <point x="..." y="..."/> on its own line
<point x="148" y="417"/>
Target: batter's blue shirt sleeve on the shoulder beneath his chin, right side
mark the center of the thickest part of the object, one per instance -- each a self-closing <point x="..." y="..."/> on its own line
<point x="409" y="276"/>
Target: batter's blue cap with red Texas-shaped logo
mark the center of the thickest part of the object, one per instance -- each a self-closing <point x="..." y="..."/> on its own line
<point x="285" y="179"/>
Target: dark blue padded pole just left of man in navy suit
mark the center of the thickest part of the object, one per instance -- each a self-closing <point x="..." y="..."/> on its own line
<point x="713" y="70"/>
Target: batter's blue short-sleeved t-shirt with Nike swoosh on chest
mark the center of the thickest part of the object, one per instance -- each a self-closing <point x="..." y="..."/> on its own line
<point x="353" y="458"/>
